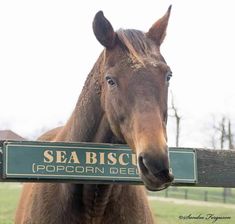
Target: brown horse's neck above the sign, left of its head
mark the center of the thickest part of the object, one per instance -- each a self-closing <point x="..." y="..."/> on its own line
<point x="88" y="122"/>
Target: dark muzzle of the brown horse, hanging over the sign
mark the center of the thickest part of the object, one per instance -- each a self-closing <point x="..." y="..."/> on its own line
<point x="155" y="171"/>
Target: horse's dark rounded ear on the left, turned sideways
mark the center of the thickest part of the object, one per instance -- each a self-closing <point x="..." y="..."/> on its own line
<point x="103" y="30"/>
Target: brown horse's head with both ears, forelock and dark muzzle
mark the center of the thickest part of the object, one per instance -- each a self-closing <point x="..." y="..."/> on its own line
<point x="134" y="89"/>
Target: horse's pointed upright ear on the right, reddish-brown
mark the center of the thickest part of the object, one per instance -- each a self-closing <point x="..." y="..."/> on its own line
<point x="158" y="30"/>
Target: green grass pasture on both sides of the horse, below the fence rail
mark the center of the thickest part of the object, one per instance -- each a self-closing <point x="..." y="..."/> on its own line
<point x="165" y="212"/>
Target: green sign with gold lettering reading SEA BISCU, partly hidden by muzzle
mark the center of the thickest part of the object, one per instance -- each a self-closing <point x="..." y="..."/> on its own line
<point x="84" y="162"/>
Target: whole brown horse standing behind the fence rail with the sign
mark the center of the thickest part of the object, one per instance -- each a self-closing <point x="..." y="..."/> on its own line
<point x="124" y="100"/>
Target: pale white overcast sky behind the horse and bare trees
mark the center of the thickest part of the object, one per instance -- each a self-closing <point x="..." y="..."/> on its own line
<point x="47" y="49"/>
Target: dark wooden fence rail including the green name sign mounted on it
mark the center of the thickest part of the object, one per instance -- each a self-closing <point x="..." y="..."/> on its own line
<point x="26" y="161"/>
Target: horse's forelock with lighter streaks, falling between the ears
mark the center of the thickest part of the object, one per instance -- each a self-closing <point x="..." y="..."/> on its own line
<point x="138" y="45"/>
